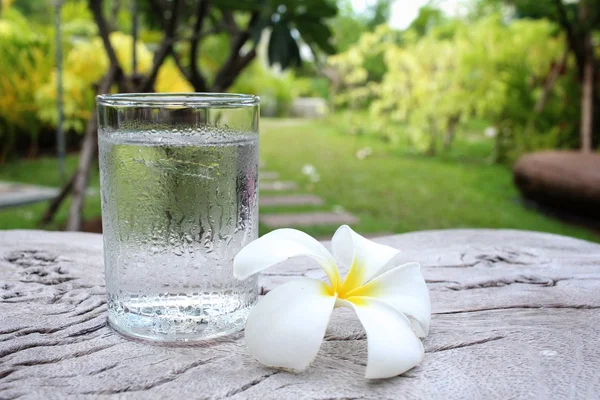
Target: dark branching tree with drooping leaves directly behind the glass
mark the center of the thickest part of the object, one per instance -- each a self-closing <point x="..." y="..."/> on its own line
<point x="189" y="23"/>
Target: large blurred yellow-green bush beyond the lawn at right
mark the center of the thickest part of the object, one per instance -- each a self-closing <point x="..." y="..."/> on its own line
<point x="434" y="83"/>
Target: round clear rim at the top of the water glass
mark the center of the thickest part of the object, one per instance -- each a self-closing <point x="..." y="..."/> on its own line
<point x="178" y="99"/>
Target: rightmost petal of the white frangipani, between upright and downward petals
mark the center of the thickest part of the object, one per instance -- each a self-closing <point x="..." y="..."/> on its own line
<point x="404" y="289"/>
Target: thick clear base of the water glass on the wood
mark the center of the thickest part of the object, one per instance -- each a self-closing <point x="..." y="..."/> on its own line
<point x="177" y="328"/>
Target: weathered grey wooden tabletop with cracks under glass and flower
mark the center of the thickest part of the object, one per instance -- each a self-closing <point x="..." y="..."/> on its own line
<point x="515" y="315"/>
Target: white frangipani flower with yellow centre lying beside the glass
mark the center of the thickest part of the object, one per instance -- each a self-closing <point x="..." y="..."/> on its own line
<point x="286" y="328"/>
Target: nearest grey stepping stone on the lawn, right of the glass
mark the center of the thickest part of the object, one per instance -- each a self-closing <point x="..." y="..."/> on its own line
<point x="308" y="219"/>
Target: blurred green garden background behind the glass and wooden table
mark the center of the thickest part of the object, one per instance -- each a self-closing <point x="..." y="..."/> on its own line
<point x="393" y="116"/>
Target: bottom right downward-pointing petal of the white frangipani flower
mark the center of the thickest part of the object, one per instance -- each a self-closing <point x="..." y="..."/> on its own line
<point x="392" y="345"/>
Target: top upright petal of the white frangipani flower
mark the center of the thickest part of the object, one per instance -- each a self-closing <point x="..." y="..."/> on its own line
<point x="364" y="257"/>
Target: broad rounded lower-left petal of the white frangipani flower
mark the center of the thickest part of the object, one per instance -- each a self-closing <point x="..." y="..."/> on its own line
<point x="286" y="328"/>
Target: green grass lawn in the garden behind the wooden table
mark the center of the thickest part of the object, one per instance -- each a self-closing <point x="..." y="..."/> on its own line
<point x="392" y="190"/>
